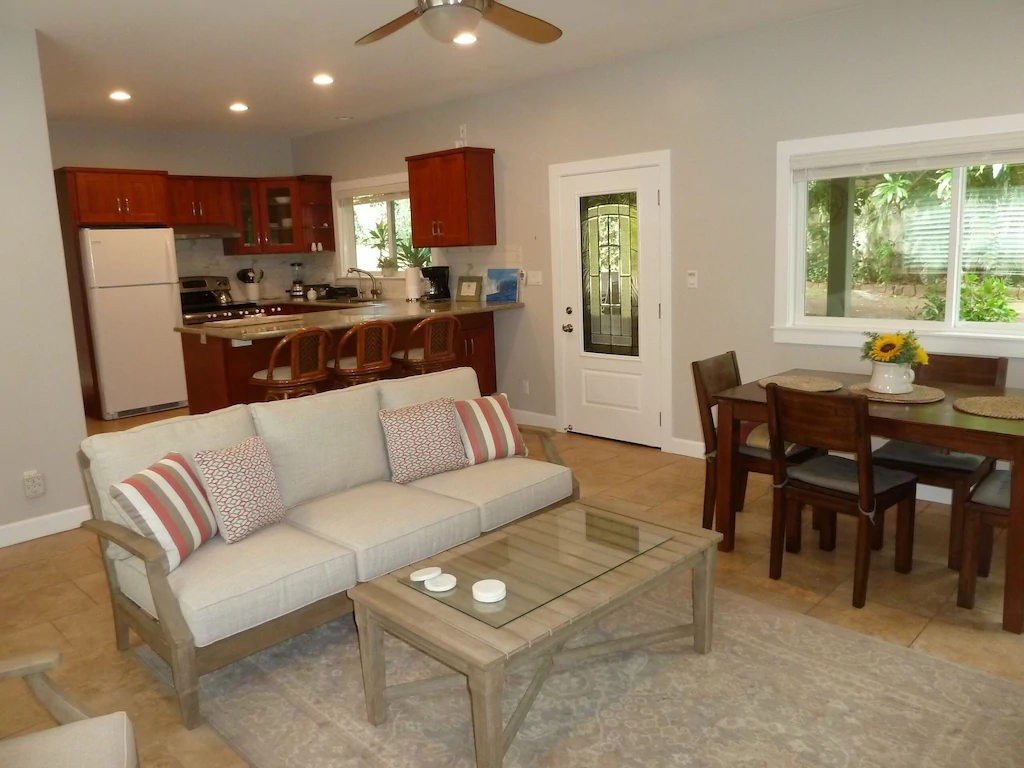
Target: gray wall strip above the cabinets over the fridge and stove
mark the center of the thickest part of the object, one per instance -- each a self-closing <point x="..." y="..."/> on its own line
<point x="177" y="151"/>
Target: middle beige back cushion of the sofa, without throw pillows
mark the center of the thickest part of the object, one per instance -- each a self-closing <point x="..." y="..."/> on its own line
<point x="325" y="444"/>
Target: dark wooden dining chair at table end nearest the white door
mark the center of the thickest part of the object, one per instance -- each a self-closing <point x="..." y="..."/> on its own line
<point x="711" y="377"/>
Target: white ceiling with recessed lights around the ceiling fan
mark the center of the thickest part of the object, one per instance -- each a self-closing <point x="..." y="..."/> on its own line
<point x="186" y="61"/>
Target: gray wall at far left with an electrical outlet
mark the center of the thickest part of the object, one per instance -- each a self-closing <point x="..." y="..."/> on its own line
<point x="41" y="420"/>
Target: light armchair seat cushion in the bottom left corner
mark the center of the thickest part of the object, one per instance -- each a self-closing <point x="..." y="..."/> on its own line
<point x="107" y="742"/>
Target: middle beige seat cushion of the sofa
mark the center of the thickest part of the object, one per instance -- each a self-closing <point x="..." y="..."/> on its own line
<point x="389" y="526"/>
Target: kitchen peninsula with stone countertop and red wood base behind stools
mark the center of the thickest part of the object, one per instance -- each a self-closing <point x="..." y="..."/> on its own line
<point x="222" y="359"/>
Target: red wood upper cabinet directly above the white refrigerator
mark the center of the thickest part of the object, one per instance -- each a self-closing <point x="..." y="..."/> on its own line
<point x="121" y="197"/>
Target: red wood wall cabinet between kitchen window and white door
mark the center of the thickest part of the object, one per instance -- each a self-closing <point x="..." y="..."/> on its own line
<point x="452" y="197"/>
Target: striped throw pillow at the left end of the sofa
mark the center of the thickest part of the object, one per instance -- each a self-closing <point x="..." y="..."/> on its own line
<point x="168" y="504"/>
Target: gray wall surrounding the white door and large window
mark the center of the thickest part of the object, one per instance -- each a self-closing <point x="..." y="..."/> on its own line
<point x="721" y="108"/>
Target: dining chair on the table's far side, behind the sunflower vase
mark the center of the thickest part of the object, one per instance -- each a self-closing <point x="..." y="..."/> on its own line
<point x="948" y="470"/>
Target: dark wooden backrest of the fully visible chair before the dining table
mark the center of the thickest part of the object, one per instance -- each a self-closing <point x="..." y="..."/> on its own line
<point x="833" y="422"/>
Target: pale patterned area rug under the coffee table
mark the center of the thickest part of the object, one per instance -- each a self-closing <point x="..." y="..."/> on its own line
<point x="779" y="690"/>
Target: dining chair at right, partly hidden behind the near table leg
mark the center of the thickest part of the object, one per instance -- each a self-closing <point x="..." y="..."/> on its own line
<point x="988" y="509"/>
